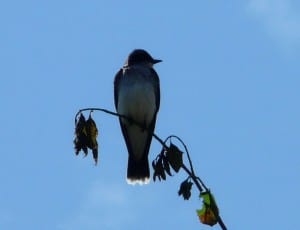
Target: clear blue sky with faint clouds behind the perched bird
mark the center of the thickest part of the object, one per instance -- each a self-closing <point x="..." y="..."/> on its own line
<point x="229" y="89"/>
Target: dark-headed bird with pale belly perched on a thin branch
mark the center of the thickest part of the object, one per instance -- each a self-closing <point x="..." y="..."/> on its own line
<point x="137" y="97"/>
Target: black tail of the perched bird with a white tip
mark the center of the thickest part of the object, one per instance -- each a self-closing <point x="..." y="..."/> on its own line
<point x="138" y="170"/>
